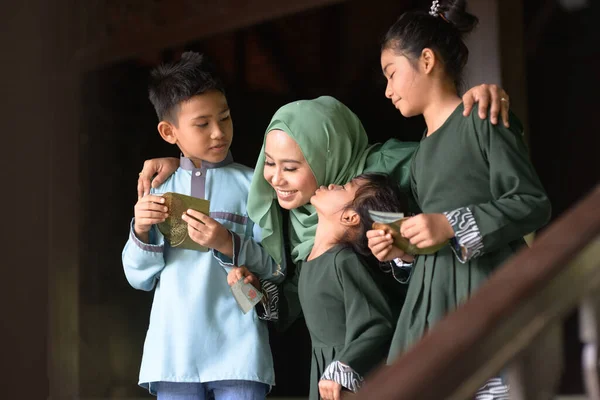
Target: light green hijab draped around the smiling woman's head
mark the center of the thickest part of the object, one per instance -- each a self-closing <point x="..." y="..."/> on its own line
<point x="335" y="145"/>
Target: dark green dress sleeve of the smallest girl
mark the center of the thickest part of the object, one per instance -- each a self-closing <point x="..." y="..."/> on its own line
<point x="368" y="316"/>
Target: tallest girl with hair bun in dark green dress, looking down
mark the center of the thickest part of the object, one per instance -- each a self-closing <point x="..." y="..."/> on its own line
<point x="472" y="180"/>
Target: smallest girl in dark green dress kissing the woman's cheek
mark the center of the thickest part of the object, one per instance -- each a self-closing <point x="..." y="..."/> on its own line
<point x="349" y="318"/>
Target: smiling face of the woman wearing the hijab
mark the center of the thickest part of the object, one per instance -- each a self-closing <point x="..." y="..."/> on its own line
<point x="287" y="171"/>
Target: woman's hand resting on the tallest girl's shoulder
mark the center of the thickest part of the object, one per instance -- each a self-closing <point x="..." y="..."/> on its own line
<point x="488" y="96"/>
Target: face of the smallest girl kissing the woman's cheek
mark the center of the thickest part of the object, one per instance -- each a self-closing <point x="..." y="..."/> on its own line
<point x="331" y="201"/>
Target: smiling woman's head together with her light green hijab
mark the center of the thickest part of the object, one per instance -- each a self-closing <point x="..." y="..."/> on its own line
<point x="334" y="149"/>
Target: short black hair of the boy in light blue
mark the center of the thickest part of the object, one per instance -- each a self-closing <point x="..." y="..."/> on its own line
<point x="171" y="84"/>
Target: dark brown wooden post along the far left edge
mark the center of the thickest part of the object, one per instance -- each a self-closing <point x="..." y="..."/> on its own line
<point x="39" y="154"/>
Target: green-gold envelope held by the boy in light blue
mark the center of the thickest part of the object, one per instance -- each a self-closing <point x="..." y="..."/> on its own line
<point x="174" y="228"/>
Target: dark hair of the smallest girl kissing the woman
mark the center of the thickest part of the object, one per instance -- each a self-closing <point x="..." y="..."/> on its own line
<point x="376" y="192"/>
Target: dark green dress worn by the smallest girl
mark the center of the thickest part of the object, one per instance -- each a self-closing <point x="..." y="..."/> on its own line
<point x="347" y="315"/>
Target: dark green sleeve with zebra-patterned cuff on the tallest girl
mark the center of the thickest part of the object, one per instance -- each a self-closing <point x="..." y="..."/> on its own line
<point x="519" y="205"/>
